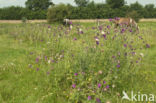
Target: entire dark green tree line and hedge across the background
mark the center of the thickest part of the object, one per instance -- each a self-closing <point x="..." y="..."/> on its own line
<point x="43" y="9"/>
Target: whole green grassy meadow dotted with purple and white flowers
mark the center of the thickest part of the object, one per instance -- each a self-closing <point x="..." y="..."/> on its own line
<point x="85" y="63"/>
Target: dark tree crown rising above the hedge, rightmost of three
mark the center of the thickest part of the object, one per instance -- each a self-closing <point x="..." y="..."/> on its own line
<point x="115" y="3"/>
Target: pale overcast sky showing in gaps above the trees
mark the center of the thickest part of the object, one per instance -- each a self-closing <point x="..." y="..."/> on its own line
<point x="5" y="3"/>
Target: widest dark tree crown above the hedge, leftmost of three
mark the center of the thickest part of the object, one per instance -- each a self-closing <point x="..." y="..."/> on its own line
<point x="38" y="4"/>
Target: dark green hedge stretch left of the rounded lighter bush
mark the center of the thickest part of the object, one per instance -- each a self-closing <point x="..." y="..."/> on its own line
<point x="16" y="13"/>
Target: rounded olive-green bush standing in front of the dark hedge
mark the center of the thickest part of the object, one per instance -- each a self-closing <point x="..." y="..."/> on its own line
<point x="57" y="13"/>
